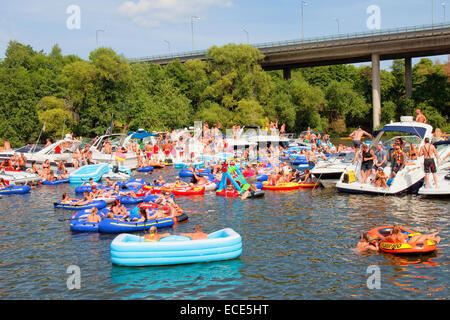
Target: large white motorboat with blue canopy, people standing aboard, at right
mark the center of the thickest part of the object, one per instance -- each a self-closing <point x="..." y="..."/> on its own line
<point x="407" y="180"/>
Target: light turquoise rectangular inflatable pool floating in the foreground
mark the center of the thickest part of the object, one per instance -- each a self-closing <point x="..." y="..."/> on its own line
<point x="132" y="250"/>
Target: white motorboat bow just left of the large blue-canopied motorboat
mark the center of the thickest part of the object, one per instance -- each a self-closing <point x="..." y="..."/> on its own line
<point x="329" y="171"/>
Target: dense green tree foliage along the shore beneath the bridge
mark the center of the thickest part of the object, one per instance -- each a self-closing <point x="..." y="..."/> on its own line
<point x="69" y="93"/>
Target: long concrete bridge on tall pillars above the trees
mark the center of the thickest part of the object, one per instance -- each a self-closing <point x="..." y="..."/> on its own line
<point x="401" y="43"/>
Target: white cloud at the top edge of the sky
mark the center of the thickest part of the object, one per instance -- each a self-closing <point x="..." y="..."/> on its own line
<point x="151" y="13"/>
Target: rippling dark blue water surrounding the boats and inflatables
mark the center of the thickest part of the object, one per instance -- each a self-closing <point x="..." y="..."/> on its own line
<point x="296" y="245"/>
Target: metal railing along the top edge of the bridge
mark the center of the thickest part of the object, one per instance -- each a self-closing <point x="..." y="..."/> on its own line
<point x="274" y="44"/>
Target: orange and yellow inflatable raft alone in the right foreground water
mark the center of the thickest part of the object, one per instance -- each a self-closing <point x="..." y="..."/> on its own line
<point x="400" y="248"/>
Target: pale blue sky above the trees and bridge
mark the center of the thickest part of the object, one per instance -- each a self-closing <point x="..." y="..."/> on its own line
<point x="139" y="28"/>
